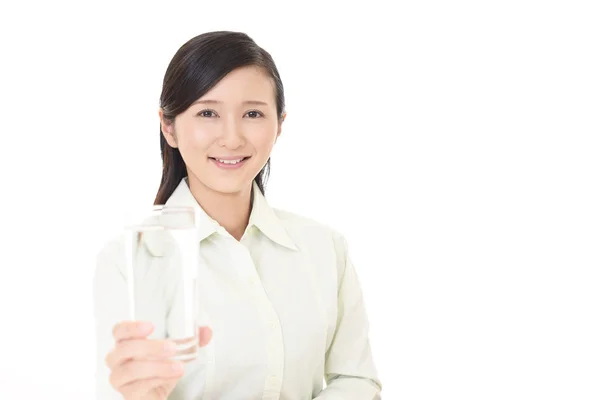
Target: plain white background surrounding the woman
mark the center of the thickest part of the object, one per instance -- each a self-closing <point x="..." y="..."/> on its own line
<point x="455" y="144"/>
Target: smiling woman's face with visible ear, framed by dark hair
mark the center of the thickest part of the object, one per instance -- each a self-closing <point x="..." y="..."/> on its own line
<point x="226" y="136"/>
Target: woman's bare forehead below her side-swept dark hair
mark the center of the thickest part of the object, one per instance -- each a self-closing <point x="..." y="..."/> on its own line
<point x="242" y="83"/>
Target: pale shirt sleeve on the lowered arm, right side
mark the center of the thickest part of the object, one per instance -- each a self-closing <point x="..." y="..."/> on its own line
<point x="349" y="368"/>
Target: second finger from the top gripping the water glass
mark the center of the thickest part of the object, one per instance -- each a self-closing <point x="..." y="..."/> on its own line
<point x="139" y="349"/>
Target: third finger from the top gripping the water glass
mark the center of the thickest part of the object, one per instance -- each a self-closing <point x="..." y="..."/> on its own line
<point x="134" y="370"/>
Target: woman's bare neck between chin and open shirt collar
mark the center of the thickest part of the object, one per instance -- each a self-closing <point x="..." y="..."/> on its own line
<point x="230" y="210"/>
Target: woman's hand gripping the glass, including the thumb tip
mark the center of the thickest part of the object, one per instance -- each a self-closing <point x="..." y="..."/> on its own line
<point x="140" y="367"/>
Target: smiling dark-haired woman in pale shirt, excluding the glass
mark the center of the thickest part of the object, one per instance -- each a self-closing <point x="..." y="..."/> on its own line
<point x="285" y="305"/>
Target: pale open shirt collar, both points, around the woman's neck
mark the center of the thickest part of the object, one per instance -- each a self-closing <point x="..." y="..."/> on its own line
<point x="263" y="217"/>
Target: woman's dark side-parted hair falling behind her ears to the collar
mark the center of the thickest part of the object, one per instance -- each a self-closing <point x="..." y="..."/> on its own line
<point x="198" y="66"/>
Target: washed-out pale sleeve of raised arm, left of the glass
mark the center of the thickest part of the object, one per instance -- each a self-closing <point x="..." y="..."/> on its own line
<point x="110" y="308"/>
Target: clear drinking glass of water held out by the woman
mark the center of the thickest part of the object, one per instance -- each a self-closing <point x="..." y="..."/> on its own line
<point x="170" y="233"/>
